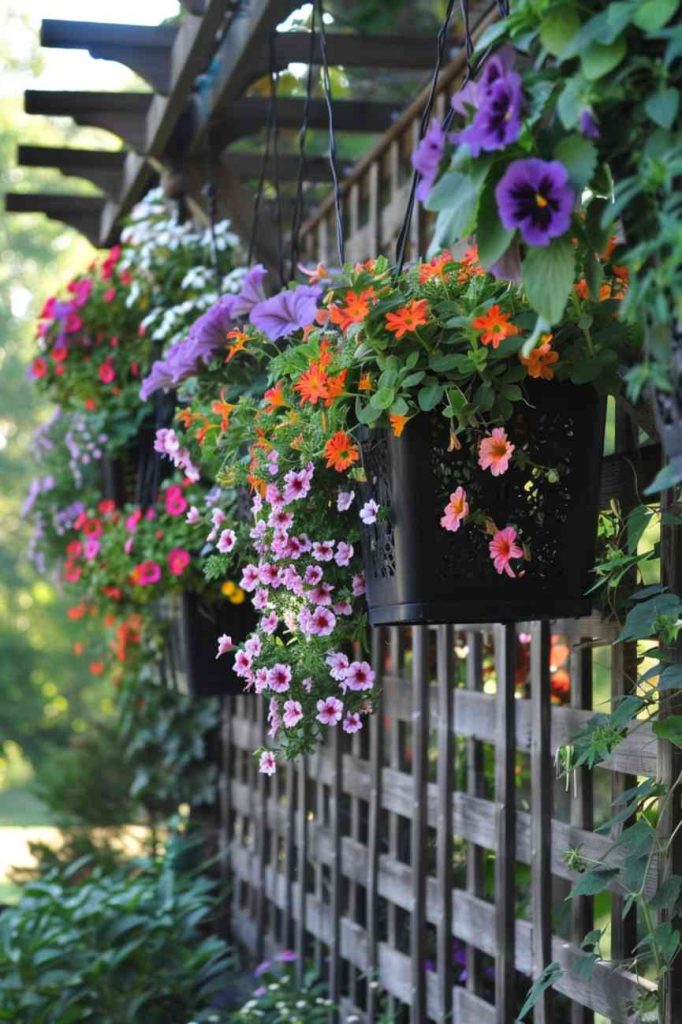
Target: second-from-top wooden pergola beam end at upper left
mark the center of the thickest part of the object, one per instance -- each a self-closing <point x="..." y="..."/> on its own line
<point x="121" y="113"/>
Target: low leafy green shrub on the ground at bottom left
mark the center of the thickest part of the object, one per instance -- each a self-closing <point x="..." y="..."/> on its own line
<point x="123" y="948"/>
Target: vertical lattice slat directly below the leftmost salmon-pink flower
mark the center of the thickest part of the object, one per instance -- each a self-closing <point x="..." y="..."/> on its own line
<point x="446" y="784"/>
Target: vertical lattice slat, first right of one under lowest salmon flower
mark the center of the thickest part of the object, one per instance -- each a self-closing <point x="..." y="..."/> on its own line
<point x="541" y="815"/>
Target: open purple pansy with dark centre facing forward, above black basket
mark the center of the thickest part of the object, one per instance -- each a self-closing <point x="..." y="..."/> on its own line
<point x="535" y="196"/>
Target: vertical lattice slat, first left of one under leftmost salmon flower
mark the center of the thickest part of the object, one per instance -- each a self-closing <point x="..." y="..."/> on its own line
<point x="420" y="738"/>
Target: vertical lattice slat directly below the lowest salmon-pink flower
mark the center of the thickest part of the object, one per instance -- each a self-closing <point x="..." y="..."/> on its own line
<point x="505" y="796"/>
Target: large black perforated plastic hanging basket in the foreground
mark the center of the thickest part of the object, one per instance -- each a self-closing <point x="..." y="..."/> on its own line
<point x="418" y="573"/>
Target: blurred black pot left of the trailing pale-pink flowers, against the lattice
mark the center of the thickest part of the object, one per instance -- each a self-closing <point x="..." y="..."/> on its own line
<point x="197" y="623"/>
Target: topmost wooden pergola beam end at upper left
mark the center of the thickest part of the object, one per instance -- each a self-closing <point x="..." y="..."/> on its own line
<point x="146" y="50"/>
